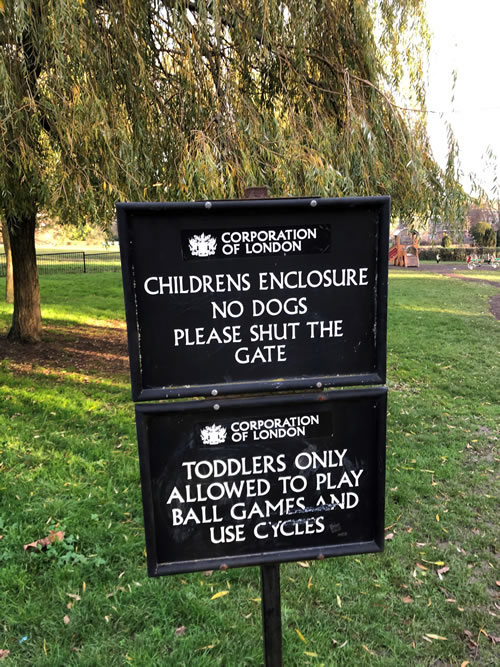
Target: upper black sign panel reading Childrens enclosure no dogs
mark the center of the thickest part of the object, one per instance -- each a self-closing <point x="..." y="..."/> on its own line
<point x="249" y="296"/>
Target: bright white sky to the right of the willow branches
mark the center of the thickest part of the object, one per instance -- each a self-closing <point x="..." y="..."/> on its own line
<point x="465" y="39"/>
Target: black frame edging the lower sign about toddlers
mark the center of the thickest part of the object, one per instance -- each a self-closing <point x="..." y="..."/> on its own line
<point x="374" y="398"/>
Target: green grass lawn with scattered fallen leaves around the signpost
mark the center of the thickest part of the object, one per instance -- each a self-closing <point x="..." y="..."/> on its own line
<point x="68" y="462"/>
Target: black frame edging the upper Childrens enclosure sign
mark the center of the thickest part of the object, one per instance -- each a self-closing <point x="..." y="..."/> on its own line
<point x="203" y="215"/>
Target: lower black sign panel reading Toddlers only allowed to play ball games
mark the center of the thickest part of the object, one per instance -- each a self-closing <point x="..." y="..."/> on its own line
<point x="250" y="481"/>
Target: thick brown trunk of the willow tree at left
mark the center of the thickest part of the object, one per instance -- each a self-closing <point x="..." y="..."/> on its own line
<point x="27" y="319"/>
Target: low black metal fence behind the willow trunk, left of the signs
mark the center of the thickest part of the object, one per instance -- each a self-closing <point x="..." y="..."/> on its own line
<point x="71" y="262"/>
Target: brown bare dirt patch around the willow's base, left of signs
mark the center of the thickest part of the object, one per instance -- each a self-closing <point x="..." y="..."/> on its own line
<point x="100" y="350"/>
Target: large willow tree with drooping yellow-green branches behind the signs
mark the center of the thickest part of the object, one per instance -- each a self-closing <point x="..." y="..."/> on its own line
<point x="176" y="99"/>
